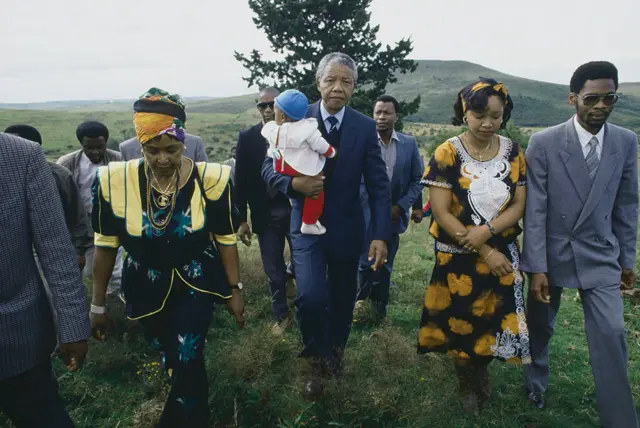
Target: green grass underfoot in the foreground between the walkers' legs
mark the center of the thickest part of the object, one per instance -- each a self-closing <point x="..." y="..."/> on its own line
<point x="255" y="379"/>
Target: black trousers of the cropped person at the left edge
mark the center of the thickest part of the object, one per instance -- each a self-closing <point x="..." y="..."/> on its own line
<point x="31" y="399"/>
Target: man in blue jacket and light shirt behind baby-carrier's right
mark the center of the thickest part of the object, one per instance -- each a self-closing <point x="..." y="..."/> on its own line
<point x="404" y="168"/>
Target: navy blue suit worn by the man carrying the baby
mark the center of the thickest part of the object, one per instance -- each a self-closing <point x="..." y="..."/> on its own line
<point x="327" y="265"/>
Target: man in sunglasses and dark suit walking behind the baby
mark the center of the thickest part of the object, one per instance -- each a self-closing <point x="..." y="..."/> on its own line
<point x="270" y="209"/>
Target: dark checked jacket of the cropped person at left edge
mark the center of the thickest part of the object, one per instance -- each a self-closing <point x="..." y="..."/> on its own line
<point x="31" y="216"/>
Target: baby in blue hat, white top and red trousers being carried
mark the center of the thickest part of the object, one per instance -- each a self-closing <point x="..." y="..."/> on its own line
<point x="298" y="149"/>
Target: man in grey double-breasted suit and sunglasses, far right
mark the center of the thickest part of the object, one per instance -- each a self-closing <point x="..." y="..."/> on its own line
<point x="580" y="232"/>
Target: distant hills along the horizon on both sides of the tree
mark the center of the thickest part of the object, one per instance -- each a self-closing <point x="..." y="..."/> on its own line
<point x="537" y="104"/>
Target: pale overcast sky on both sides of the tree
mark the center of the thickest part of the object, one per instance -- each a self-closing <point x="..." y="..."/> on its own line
<point x="83" y="49"/>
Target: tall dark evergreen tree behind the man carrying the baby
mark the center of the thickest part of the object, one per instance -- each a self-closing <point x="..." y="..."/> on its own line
<point x="303" y="31"/>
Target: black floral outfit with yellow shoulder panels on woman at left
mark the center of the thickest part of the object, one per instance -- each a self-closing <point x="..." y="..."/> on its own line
<point x="171" y="275"/>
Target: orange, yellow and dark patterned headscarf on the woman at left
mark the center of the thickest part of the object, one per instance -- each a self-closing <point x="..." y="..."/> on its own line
<point x="158" y="112"/>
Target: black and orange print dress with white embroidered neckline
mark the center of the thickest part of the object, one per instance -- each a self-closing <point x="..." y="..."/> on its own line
<point x="468" y="312"/>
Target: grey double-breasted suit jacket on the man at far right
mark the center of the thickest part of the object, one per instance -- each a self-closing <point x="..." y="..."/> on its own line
<point x="578" y="232"/>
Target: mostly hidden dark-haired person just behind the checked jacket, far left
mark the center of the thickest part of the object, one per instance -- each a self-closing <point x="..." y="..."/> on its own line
<point x="74" y="212"/>
